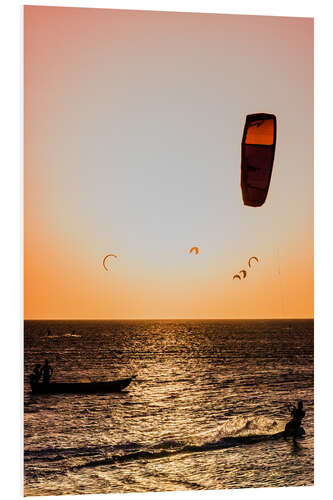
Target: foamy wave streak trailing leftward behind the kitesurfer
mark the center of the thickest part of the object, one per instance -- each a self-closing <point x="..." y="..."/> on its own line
<point x="234" y="432"/>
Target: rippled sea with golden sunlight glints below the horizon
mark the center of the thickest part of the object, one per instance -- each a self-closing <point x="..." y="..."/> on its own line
<point x="201" y="386"/>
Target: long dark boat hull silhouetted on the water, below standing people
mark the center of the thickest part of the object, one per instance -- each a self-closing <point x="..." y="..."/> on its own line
<point x="80" y="387"/>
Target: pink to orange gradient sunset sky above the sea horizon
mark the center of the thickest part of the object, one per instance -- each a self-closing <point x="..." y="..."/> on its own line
<point x="133" y="123"/>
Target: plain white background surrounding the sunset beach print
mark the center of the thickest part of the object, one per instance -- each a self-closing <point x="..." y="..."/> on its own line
<point x="11" y="247"/>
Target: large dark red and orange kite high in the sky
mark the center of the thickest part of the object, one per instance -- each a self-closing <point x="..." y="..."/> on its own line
<point x="258" y="148"/>
